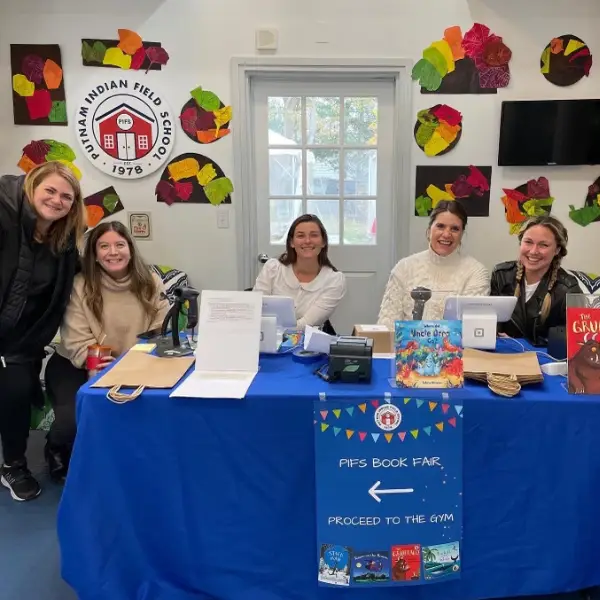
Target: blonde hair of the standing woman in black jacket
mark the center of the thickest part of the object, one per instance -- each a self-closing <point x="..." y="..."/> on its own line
<point x="73" y="223"/>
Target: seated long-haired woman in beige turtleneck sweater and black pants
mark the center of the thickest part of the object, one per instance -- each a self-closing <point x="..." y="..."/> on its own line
<point x="115" y="298"/>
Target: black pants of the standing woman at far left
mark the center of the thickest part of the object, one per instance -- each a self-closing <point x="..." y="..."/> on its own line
<point x="19" y="388"/>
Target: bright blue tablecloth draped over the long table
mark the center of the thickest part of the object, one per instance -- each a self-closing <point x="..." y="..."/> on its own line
<point x="180" y="499"/>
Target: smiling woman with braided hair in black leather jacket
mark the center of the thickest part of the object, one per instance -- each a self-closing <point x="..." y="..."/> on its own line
<point x="538" y="281"/>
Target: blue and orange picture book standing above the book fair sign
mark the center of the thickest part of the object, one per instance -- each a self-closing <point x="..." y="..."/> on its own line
<point x="429" y="354"/>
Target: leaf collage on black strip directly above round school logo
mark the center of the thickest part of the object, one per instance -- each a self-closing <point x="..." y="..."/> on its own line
<point x="129" y="52"/>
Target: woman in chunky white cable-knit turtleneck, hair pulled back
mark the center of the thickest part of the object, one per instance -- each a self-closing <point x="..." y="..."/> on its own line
<point x="441" y="268"/>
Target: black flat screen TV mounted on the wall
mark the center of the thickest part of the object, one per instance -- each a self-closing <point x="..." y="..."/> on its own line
<point x="549" y="132"/>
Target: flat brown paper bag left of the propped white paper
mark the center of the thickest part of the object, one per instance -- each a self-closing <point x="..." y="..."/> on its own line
<point x="140" y="370"/>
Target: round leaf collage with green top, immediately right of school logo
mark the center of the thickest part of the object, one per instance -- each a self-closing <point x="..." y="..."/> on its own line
<point x="204" y="118"/>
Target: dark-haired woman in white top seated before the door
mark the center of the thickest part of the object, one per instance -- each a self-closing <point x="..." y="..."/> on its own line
<point x="305" y="273"/>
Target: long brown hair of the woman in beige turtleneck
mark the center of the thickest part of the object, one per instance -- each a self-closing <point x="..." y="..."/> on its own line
<point x="143" y="285"/>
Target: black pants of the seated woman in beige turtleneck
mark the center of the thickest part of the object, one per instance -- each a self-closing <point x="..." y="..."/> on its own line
<point x="63" y="380"/>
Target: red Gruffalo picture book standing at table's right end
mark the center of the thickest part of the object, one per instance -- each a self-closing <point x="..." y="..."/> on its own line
<point x="583" y="344"/>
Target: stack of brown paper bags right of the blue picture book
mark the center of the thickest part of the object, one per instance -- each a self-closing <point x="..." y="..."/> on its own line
<point x="477" y="364"/>
